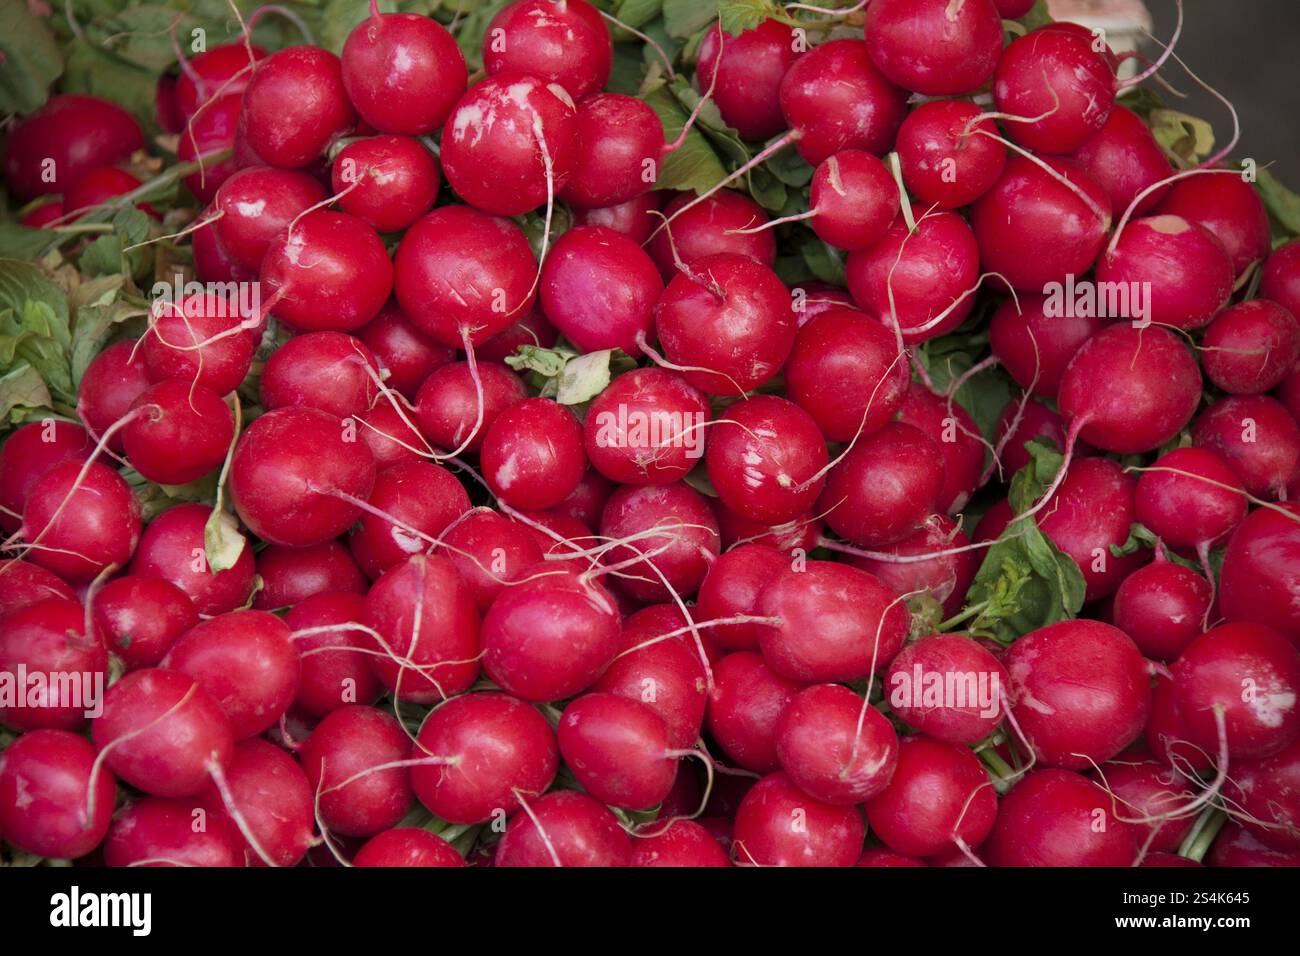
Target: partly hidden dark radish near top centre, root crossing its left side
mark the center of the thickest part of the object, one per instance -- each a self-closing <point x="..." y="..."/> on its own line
<point x="746" y="75"/>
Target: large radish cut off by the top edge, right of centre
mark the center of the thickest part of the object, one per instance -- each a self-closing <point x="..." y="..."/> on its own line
<point x="935" y="47"/>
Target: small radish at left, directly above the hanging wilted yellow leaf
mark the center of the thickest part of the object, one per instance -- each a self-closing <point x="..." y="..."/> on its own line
<point x="183" y="434"/>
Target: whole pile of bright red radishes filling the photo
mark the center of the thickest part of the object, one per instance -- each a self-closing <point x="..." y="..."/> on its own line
<point x="604" y="664"/>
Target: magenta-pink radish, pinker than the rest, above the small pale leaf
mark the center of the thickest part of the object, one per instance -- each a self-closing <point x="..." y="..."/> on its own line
<point x="600" y="289"/>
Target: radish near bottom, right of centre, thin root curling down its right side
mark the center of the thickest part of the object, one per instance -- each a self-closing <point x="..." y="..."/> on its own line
<point x="939" y="794"/>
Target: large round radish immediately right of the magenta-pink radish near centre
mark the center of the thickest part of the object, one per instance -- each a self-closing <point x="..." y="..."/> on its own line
<point x="731" y="317"/>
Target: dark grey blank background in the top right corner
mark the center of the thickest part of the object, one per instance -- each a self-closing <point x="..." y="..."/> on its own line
<point x="1250" y="51"/>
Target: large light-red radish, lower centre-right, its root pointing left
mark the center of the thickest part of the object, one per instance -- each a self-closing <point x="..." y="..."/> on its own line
<point x="837" y="624"/>
